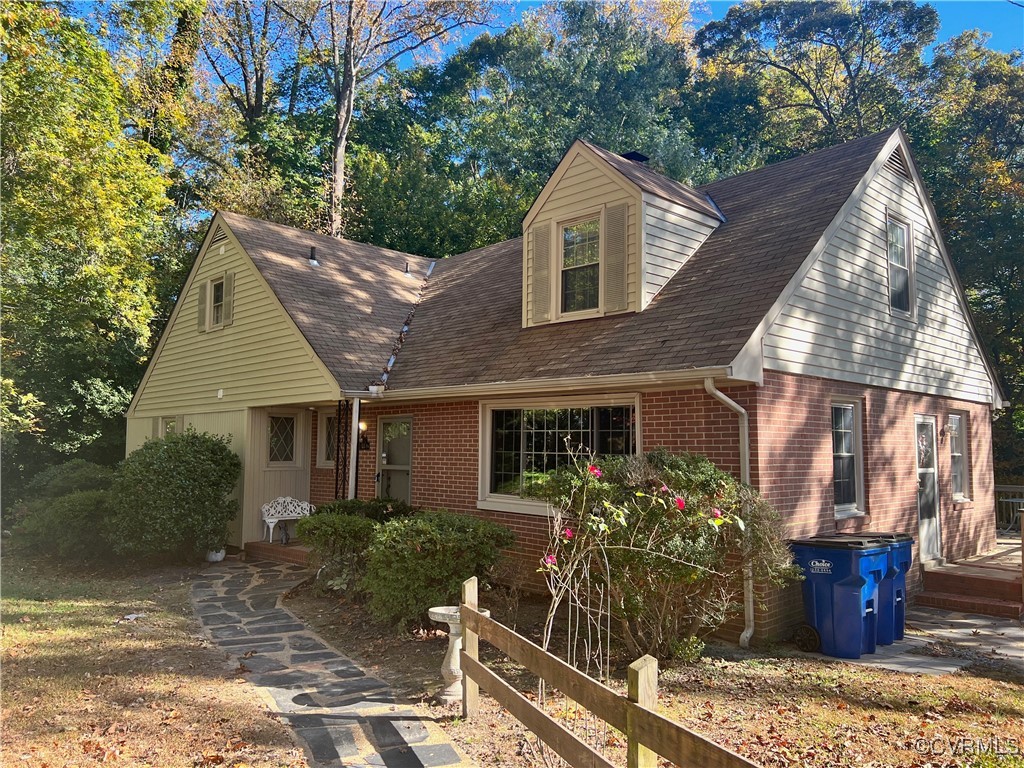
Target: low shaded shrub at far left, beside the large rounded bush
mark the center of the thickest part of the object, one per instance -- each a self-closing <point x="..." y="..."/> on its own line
<point x="71" y="527"/>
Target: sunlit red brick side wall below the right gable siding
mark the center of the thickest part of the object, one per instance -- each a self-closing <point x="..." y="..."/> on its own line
<point x="793" y="439"/>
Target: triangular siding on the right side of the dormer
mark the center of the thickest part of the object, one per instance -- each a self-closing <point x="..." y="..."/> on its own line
<point x="672" y="235"/>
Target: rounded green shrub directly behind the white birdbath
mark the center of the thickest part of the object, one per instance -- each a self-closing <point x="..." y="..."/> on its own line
<point x="421" y="562"/>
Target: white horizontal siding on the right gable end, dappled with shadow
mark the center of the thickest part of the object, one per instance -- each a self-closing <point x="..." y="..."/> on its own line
<point x="838" y="324"/>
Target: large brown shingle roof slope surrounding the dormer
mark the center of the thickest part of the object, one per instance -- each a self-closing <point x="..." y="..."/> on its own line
<point x="468" y="326"/>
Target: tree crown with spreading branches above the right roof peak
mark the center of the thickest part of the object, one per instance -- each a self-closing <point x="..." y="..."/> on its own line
<point x="835" y="70"/>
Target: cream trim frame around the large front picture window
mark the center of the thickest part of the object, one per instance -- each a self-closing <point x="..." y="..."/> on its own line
<point x="506" y="503"/>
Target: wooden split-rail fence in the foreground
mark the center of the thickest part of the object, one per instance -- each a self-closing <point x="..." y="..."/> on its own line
<point x="648" y="734"/>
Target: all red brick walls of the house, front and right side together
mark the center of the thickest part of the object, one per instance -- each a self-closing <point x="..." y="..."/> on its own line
<point x="791" y="431"/>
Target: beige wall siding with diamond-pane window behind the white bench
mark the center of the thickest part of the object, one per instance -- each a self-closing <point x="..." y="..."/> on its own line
<point x="264" y="485"/>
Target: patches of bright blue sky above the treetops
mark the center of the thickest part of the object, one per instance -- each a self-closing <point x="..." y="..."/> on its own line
<point x="1000" y="18"/>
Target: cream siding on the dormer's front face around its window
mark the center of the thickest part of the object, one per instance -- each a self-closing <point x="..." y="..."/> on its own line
<point x="584" y="189"/>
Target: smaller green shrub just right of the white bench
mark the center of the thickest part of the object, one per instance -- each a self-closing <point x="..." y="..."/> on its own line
<point x="339" y="545"/>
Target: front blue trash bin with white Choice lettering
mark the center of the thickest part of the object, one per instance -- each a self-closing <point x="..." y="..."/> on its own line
<point x="841" y="591"/>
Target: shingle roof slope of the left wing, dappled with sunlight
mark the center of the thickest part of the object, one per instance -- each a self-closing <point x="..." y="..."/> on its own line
<point x="351" y="309"/>
